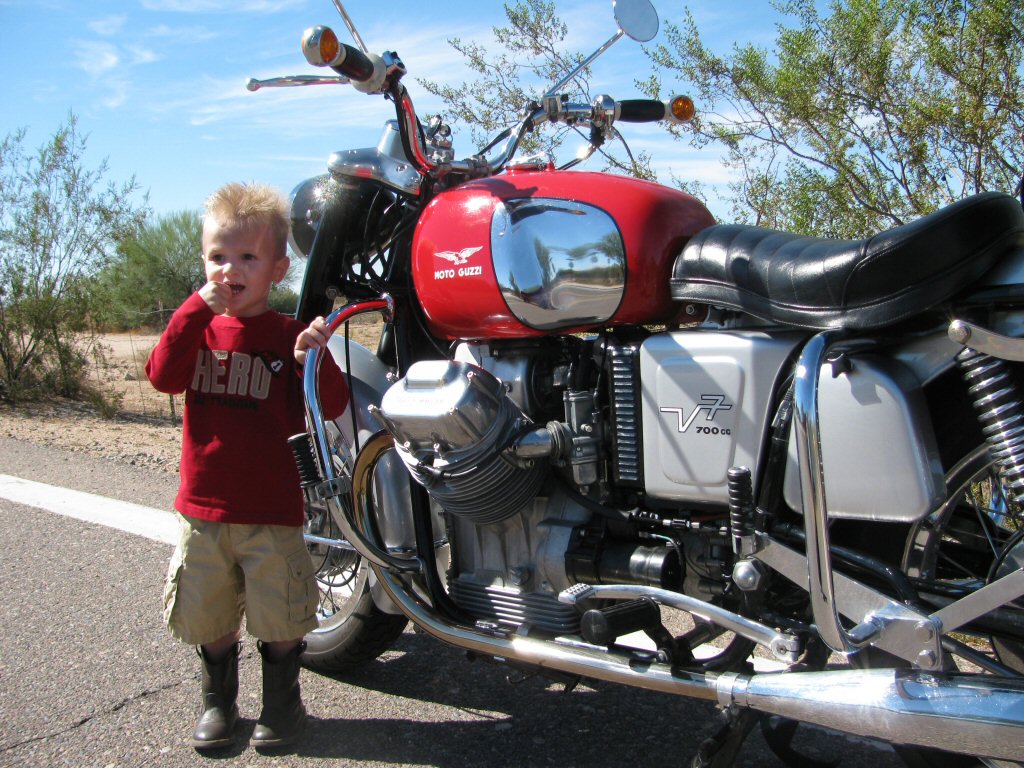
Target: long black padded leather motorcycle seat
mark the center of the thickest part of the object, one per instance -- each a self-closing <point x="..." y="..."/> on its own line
<point x="824" y="284"/>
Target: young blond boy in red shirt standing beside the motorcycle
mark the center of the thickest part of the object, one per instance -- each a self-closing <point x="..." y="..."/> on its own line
<point x="241" y="506"/>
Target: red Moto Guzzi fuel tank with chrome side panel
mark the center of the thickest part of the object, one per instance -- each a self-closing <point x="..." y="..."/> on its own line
<point x="532" y="253"/>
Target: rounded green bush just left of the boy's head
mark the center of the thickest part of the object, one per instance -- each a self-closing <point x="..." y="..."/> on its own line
<point x="156" y="271"/>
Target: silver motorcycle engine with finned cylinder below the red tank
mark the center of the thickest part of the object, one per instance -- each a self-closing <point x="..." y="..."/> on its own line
<point x="519" y="457"/>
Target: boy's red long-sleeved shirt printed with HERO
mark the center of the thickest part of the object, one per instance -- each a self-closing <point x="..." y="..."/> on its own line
<point x="243" y="402"/>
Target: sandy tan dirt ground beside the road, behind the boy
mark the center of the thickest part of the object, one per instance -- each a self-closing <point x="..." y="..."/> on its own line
<point x="147" y="429"/>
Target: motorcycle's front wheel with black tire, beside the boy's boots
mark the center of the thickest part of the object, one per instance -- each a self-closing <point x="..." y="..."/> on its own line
<point x="353" y="630"/>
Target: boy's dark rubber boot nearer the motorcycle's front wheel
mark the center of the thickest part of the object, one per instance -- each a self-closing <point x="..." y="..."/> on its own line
<point x="284" y="715"/>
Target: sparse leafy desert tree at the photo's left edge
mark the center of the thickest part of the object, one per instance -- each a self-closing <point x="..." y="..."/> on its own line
<point x="59" y="226"/>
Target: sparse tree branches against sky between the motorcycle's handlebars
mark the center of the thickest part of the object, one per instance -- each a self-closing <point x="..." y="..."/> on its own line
<point x="530" y="60"/>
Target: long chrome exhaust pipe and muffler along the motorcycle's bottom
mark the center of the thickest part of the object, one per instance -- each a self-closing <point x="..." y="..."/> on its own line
<point x="983" y="716"/>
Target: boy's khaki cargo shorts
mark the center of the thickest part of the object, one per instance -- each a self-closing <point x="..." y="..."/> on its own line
<point x="221" y="572"/>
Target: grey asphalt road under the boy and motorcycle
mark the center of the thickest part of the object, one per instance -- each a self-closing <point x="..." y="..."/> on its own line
<point x="90" y="677"/>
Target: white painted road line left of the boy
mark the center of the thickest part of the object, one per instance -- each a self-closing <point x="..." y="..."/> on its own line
<point x="134" y="519"/>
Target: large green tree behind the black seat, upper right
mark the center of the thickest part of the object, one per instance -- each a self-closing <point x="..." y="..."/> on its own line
<point x="864" y="119"/>
